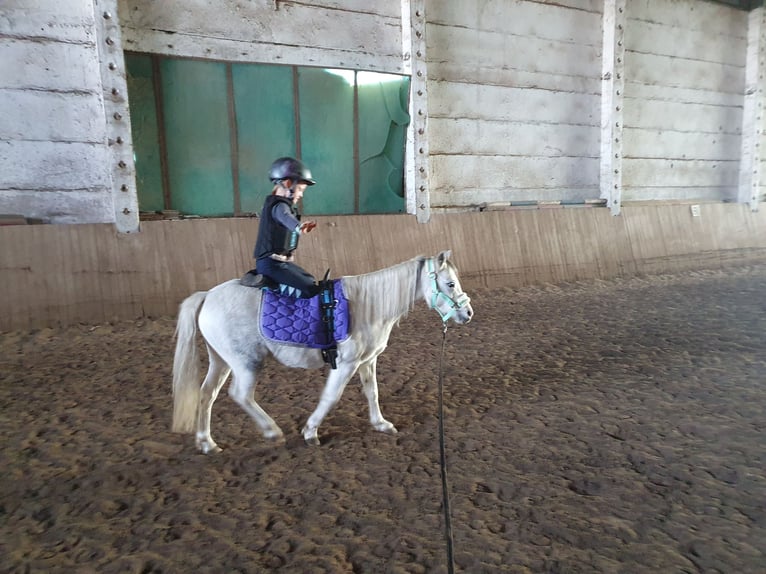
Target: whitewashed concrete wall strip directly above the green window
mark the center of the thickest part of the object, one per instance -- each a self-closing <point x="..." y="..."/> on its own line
<point x="326" y="33"/>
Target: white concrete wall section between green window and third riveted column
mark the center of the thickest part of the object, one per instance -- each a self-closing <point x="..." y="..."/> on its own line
<point x="514" y="101"/>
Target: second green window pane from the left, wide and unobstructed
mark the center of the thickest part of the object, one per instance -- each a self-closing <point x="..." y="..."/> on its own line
<point x="195" y="109"/>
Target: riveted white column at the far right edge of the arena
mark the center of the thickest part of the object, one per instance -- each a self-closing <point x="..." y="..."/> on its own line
<point x="751" y="170"/>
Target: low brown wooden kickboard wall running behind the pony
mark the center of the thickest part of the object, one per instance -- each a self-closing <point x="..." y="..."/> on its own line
<point x="58" y="275"/>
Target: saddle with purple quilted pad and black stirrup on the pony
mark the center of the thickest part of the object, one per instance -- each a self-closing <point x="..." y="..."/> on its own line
<point x="319" y="322"/>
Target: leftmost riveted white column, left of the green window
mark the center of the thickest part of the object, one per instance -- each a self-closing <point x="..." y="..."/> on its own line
<point x="115" y="97"/>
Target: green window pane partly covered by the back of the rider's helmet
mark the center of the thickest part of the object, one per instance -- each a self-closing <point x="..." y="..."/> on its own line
<point x="263" y="99"/>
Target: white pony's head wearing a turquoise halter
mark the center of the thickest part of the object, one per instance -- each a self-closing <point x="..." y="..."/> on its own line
<point x="442" y="290"/>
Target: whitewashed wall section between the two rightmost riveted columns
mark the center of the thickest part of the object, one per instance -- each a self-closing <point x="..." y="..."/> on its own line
<point x="684" y="86"/>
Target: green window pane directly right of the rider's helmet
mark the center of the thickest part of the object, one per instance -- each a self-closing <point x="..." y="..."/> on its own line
<point x="327" y="140"/>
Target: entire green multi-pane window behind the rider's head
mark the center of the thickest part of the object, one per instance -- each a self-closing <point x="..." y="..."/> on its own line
<point x="206" y="132"/>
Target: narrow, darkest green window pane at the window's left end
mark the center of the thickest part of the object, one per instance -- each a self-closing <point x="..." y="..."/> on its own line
<point x="145" y="132"/>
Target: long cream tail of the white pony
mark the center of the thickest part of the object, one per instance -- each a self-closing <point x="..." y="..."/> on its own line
<point x="186" y="375"/>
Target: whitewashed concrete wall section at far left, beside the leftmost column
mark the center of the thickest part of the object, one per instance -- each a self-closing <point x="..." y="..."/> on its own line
<point x="53" y="152"/>
